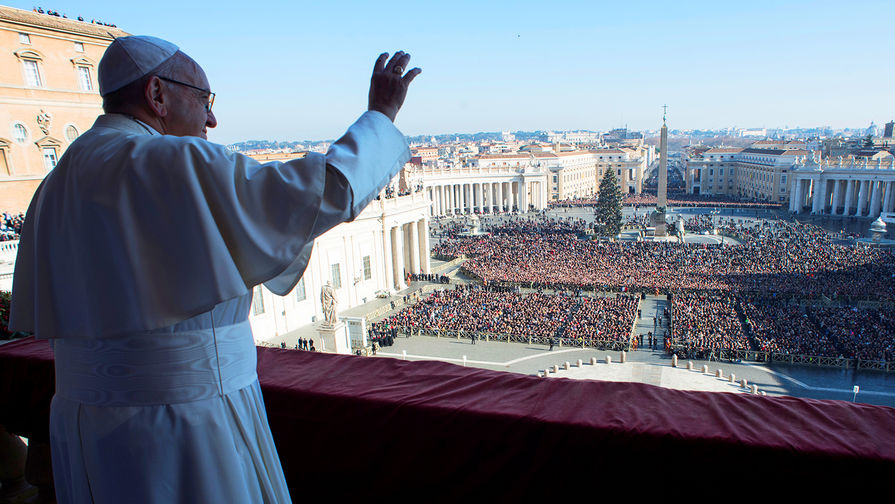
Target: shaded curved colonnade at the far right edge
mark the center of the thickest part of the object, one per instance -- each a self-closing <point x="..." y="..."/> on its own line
<point x="849" y="195"/>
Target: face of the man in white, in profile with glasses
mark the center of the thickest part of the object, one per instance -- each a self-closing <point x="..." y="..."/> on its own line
<point x="188" y="114"/>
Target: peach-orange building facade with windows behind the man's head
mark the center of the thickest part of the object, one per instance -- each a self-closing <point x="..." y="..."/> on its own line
<point x="48" y="95"/>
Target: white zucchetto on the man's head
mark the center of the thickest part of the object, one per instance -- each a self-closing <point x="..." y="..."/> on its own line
<point x="129" y="58"/>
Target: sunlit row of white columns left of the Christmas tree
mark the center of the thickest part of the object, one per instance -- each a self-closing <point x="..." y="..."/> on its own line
<point x="462" y="197"/>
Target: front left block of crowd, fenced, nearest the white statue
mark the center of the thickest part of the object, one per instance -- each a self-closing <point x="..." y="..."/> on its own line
<point x="481" y="310"/>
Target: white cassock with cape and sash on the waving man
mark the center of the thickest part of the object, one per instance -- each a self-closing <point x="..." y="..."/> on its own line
<point x="137" y="258"/>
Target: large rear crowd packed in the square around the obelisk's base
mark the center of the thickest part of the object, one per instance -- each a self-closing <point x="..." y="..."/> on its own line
<point x="779" y="258"/>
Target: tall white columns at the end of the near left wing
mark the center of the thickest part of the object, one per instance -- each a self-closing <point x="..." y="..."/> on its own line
<point x="406" y="250"/>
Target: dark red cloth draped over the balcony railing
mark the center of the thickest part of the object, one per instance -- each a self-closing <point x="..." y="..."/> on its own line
<point x="349" y="426"/>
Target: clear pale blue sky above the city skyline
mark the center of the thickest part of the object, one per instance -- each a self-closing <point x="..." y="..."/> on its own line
<point x="300" y="70"/>
